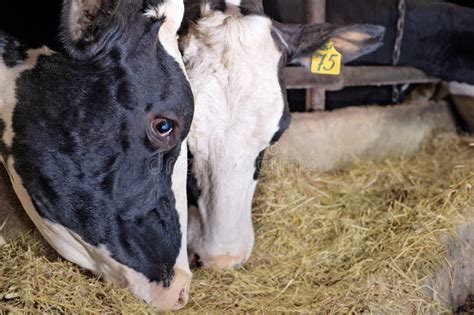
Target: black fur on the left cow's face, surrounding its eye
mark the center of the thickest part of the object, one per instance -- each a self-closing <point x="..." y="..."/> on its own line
<point x="79" y="148"/>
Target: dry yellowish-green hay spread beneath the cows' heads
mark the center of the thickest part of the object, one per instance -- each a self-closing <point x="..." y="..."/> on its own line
<point x="362" y="239"/>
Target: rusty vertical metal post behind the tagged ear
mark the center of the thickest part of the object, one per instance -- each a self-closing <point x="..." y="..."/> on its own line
<point x="316" y="13"/>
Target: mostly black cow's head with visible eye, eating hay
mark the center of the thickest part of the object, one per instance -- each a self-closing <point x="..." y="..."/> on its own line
<point x="90" y="139"/>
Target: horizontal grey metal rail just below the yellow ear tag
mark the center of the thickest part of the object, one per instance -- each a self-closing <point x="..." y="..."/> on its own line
<point x="300" y="78"/>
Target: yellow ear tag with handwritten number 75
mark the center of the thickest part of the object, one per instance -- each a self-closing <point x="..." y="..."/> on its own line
<point x="327" y="60"/>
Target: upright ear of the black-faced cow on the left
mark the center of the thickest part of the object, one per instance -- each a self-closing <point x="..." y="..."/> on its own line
<point x="87" y="26"/>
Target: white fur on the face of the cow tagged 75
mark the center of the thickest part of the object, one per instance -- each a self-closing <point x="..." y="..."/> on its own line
<point x="232" y="63"/>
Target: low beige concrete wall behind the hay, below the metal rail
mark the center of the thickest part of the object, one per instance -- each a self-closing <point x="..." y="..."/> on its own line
<point x="330" y="140"/>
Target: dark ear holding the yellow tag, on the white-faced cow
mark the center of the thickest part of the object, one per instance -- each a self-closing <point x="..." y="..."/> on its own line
<point x="302" y="41"/>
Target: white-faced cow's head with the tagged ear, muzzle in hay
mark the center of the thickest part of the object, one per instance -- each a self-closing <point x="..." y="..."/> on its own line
<point x="234" y="56"/>
